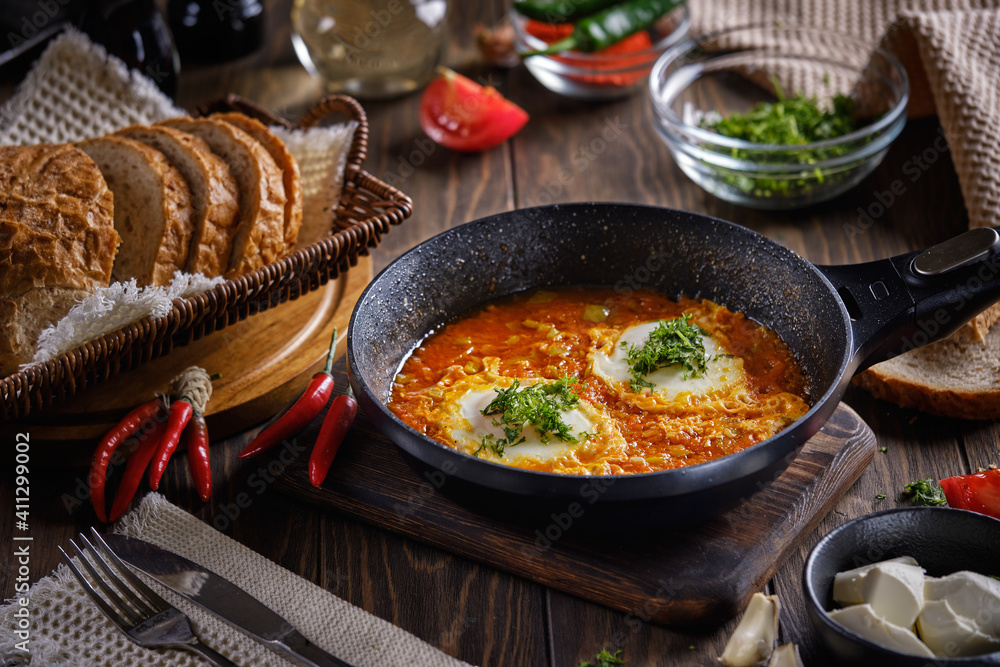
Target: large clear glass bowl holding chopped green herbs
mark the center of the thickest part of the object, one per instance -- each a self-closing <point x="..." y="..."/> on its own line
<point x="733" y="70"/>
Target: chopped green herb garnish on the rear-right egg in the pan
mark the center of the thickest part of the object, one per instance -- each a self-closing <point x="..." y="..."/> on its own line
<point x="671" y="343"/>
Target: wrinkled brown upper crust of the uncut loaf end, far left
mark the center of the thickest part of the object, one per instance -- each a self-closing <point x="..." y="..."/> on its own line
<point x="56" y="220"/>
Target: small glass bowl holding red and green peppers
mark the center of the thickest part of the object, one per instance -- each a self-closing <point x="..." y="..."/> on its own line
<point x="589" y="76"/>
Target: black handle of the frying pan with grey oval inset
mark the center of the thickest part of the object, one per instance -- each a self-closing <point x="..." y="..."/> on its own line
<point x="905" y="302"/>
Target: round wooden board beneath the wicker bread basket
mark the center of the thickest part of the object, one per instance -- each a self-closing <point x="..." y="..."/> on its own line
<point x="264" y="361"/>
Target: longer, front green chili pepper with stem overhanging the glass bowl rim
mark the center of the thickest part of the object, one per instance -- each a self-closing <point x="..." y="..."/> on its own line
<point x="610" y="26"/>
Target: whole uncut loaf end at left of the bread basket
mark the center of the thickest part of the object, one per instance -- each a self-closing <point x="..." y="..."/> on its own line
<point x="57" y="241"/>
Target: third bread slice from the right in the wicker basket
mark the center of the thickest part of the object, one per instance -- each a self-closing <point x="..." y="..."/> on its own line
<point x="214" y="194"/>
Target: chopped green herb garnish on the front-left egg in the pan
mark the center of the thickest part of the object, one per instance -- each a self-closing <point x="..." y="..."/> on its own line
<point x="538" y="405"/>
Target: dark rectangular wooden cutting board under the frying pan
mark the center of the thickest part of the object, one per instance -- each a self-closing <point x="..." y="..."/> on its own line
<point x="700" y="575"/>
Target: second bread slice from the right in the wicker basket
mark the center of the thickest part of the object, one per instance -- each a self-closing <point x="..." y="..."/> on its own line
<point x="259" y="239"/>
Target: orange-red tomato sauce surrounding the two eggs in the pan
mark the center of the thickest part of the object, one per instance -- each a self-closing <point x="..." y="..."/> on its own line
<point x="555" y="333"/>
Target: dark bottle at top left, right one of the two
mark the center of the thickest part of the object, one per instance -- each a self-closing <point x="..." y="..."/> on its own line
<point x="216" y="31"/>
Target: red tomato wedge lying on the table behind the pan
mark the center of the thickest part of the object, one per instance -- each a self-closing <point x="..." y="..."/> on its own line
<point x="459" y="113"/>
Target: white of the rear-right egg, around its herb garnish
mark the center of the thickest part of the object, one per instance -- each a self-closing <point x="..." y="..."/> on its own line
<point x="722" y="372"/>
